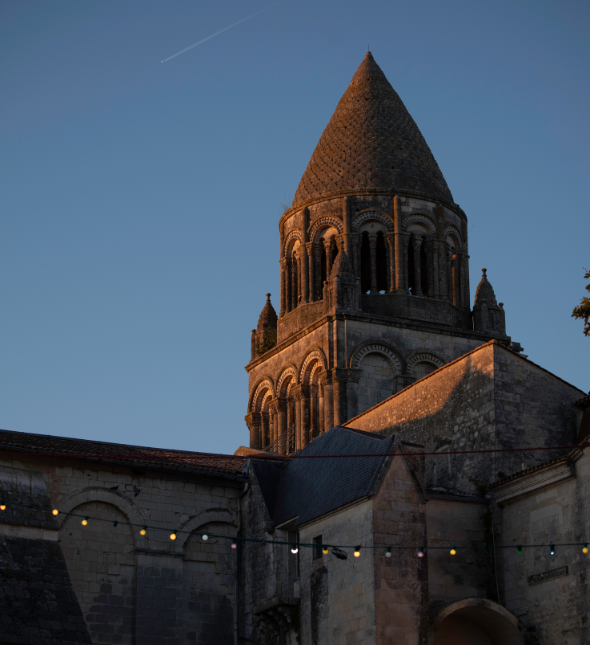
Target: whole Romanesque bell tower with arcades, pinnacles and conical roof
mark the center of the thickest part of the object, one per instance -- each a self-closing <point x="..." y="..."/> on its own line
<point x="374" y="276"/>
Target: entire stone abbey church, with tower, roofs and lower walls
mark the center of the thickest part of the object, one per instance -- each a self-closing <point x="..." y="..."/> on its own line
<point x="410" y="478"/>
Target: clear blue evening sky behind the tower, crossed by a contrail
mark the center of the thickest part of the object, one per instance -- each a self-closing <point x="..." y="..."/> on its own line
<point x="140" y="200"/>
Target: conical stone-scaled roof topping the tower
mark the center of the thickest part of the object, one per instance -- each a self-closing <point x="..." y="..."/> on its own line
<point x="371" y="143"/>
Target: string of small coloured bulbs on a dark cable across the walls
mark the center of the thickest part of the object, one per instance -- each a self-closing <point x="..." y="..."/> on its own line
<point x="338" y="550"/>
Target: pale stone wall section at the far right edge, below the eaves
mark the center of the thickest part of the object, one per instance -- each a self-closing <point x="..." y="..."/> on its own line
<point x="549" y="594"/>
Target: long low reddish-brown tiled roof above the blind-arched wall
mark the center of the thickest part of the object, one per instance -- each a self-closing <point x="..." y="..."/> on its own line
<point x="118" y="453"/>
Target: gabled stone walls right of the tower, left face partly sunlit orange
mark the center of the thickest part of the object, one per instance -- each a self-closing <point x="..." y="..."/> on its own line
<point x="489" y="398"/>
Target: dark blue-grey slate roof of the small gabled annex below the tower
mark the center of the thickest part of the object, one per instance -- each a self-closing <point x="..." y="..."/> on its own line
<point x="310" y="488"/>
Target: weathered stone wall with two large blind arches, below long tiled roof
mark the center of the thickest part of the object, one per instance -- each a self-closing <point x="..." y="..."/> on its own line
<point x="145" y="590"/>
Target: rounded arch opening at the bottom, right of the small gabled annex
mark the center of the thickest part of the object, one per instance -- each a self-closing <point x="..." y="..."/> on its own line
<point x="476" y="621"/>
